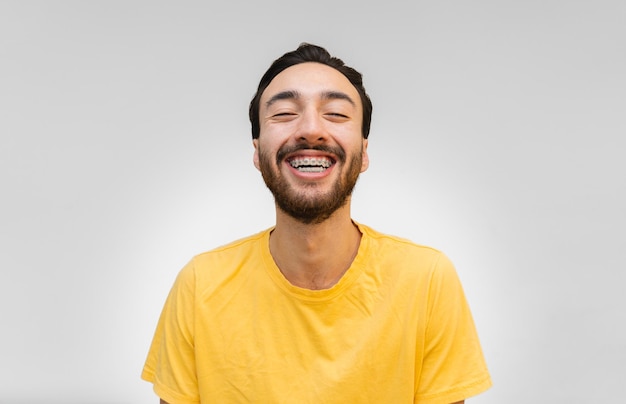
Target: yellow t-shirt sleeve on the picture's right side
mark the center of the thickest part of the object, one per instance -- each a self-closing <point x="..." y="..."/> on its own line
<point x="453" y="367"/>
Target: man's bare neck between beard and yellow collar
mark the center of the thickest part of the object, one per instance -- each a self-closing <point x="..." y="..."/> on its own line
<point x="314" y="256"/>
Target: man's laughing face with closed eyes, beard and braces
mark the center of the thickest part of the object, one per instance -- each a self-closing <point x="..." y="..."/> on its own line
<point x="310" y="150"/>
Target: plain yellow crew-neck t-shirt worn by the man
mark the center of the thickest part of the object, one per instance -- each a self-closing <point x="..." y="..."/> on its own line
<point x="395" y="329"/>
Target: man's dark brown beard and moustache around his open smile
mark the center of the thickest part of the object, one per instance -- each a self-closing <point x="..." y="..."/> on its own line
<point x="314" y="206"/>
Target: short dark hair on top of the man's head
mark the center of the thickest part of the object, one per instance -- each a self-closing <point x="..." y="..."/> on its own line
<point x="310" y="53"/>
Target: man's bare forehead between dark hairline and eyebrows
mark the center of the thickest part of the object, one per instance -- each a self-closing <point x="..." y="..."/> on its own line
<point x="310" y="79"/>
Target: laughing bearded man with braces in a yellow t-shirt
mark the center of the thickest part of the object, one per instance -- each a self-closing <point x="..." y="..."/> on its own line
<point x="318" y="309"/>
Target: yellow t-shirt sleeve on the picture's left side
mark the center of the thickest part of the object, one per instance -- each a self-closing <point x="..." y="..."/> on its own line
<point x="170" y="365"/>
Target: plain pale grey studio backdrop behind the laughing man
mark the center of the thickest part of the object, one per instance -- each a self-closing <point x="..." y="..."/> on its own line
<point x="498" y="136"/>
